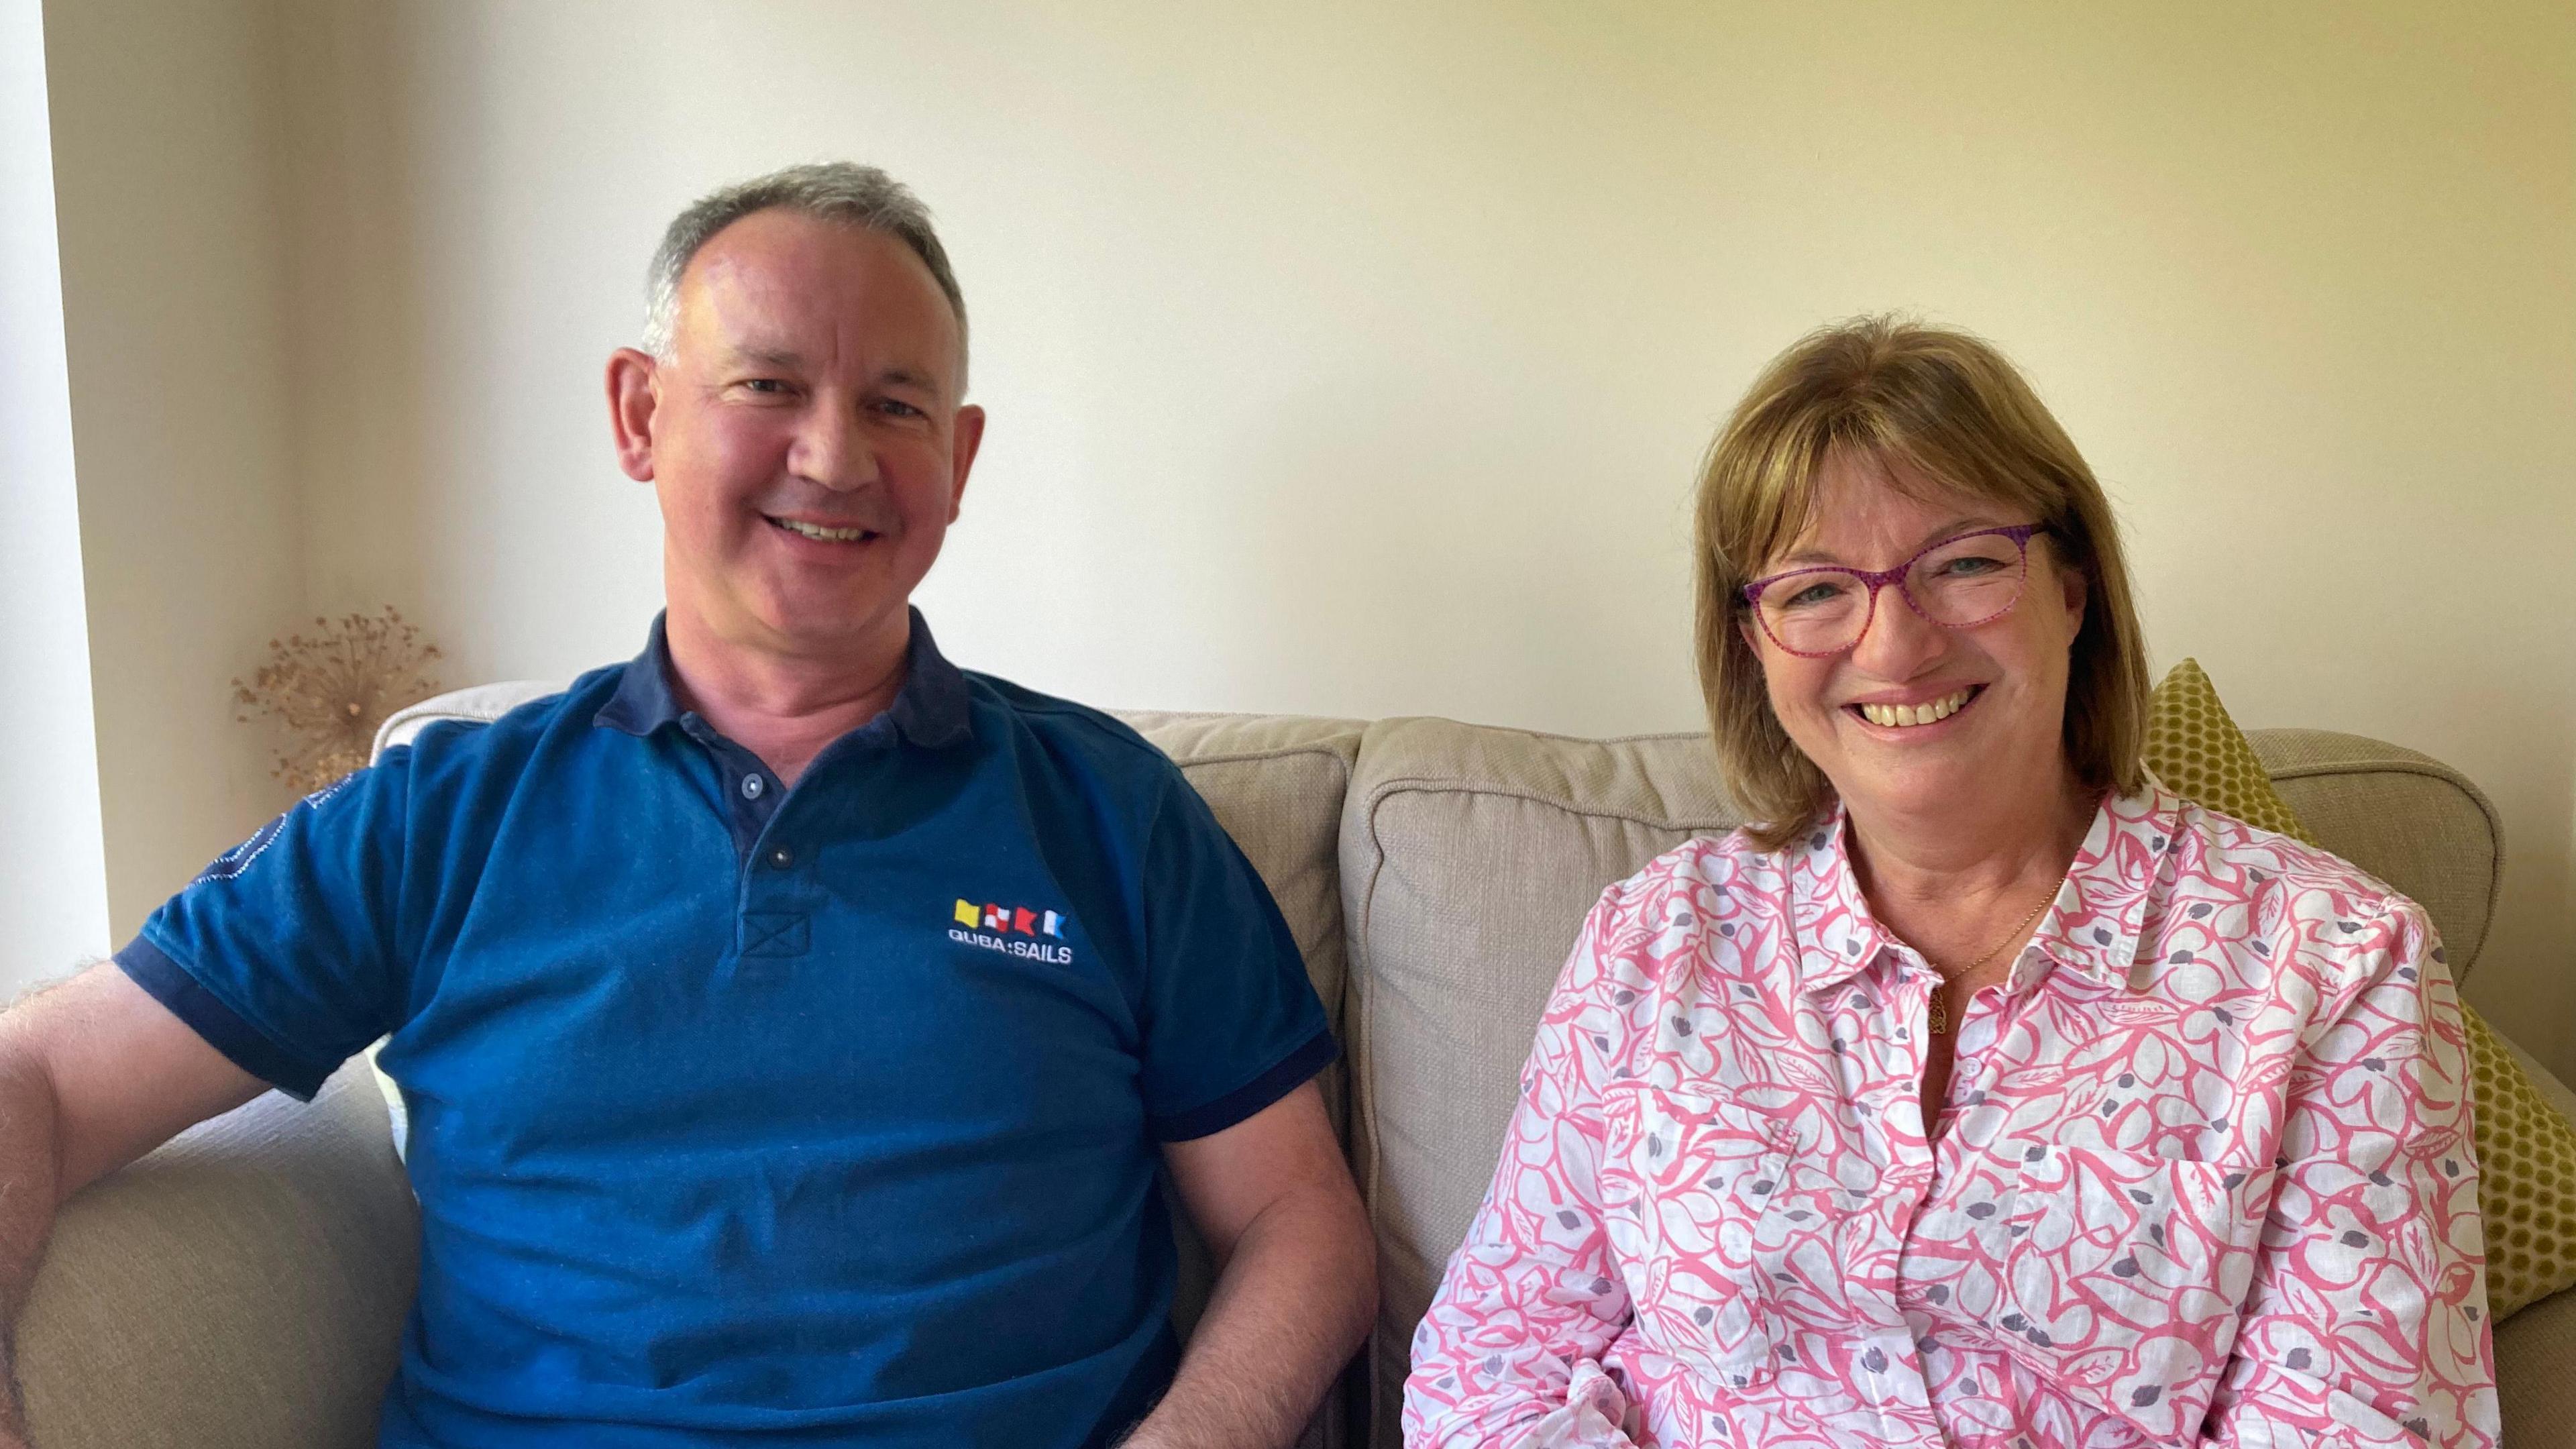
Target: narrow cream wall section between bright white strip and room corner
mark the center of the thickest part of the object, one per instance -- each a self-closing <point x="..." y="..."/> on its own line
<point x="166" y="187"/>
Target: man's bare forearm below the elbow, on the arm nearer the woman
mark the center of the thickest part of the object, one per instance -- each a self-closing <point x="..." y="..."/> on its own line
<point x="1289" y="1311"/>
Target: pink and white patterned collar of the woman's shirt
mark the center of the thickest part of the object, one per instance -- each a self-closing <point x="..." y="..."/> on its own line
<point x="2093" y="927"/>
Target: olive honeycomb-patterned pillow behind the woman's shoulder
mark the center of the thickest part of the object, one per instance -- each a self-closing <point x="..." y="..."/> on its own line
<point x="2526" y="1149"/>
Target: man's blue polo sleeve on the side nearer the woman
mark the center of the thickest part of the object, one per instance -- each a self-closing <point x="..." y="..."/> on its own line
<point x="1233" y="1020"/>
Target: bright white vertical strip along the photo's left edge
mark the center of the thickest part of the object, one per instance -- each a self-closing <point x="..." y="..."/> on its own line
<point x="53" y="852"/>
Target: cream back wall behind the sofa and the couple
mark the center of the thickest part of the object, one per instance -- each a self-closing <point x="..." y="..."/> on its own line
<point x="1354" y="360"/>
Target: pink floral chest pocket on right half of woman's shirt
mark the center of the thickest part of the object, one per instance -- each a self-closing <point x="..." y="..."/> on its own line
<point x="2124" y="1275"/>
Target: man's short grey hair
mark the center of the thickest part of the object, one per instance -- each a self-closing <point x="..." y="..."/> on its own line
<point x="828" y="192"/>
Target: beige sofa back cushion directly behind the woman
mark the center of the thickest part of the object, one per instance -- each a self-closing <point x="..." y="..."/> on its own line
<point x="1470" y="860"/>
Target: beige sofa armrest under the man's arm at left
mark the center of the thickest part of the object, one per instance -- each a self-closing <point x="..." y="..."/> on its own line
<point x="241" y="1288"/>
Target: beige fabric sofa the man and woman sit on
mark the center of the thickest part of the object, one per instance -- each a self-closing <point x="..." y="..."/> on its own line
<point x="246" y="1285"/>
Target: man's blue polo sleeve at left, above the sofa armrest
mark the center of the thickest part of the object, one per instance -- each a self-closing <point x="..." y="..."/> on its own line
<point x="282" y="953"/>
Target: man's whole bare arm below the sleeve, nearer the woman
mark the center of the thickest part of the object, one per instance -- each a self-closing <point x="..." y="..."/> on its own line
<point x="1297" y="1280"/>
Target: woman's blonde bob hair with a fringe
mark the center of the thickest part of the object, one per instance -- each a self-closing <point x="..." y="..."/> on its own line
<point x="1936" y="406"/>
